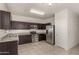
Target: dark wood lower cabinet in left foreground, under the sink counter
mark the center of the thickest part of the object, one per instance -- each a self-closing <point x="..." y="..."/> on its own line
<point x="9" y="48"/>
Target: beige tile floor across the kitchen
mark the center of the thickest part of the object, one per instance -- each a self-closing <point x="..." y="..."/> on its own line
<point x="43" y="48"/>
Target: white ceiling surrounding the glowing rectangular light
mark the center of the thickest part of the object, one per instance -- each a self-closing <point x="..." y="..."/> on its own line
<point x="24" y="8"/>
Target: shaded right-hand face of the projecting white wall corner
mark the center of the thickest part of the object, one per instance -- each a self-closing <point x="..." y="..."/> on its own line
<point x="73" y="29"/>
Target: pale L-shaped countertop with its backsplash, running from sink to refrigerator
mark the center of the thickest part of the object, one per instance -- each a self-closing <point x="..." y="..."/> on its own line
<point x="13" y="35"/>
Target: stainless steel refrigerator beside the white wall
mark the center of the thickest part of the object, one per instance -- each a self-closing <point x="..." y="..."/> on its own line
<point x="50" y="34"/>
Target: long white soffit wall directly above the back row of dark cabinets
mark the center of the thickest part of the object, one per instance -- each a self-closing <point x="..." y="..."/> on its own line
<point x="30" y="19"/>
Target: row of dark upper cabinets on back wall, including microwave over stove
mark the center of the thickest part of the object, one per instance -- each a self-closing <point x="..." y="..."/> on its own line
<point x="27" y="25"/>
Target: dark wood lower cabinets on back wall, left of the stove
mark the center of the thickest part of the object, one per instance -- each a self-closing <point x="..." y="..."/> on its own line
<point x="23" y="39"/>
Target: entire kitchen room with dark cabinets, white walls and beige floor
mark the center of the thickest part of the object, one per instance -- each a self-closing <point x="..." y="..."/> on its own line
<point x="38" y="28"/>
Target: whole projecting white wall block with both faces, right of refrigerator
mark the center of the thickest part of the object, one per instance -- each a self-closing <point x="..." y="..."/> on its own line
<point x="67" y="29"/>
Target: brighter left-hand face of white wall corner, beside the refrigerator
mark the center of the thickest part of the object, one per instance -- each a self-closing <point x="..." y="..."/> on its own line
<point x="61" y="29"/>
